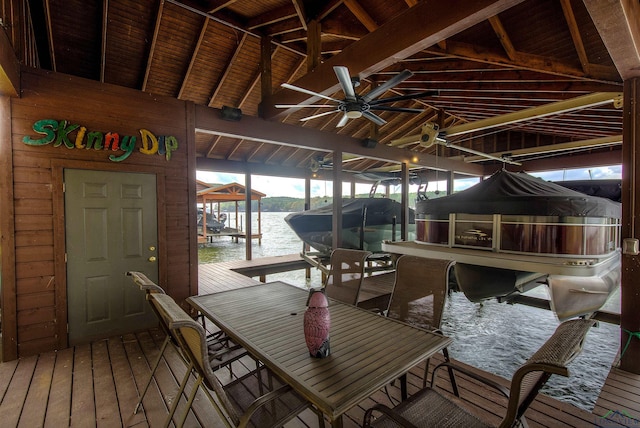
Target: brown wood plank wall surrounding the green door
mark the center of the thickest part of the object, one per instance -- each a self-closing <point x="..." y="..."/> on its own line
<point x="40" y="274"/>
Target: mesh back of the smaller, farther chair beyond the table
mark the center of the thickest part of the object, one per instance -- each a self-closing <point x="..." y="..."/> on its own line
<point x="345" y="274"/>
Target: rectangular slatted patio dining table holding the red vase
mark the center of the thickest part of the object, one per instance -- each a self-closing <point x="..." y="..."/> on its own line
<point x="368" y="351"/>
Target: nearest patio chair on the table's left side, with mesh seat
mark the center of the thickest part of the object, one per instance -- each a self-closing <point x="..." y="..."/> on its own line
<point x="258" y="399"/>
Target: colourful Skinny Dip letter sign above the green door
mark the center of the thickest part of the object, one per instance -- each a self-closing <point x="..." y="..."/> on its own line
<point x="73" y="136"/>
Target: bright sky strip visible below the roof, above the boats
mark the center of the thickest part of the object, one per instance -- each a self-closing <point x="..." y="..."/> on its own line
<point x="278" y="186"/>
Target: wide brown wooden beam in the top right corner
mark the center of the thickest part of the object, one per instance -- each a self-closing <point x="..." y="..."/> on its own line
<point x="618" y="22"/>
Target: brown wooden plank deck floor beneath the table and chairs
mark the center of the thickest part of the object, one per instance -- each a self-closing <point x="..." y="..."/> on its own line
<point x="97" y="385"/>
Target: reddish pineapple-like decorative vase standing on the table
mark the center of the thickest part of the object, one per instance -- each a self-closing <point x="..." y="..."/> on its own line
<point x="317" y="322"/>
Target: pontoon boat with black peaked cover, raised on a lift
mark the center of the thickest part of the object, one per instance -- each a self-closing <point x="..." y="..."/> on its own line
<point x="512" y="232"/>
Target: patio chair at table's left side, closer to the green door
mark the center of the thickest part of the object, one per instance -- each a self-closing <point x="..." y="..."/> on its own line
<point x="221" y="349"/>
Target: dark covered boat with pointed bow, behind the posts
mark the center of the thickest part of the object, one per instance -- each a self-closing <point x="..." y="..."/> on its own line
<point x="366" y="223"/>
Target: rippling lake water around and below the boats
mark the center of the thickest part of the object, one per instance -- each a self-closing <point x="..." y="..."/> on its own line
<point x="493" y="336"/>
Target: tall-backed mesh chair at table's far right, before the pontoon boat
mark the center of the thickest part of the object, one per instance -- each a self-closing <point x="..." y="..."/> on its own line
<point x="419" y="295"/>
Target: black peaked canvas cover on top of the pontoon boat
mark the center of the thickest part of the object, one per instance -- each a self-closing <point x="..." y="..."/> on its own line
<point x="518" y="193"/>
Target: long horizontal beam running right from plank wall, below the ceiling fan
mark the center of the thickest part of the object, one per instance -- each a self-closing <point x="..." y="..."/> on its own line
<point x="208" y="120"/>
